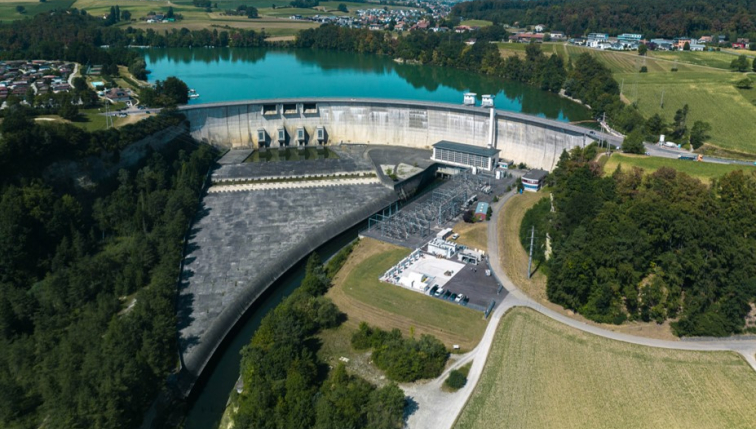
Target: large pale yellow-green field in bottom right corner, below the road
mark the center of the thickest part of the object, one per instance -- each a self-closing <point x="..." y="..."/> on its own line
<point x="543" y="374"/>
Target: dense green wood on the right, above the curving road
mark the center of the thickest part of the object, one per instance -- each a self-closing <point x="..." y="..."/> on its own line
<point x="656" y="247"/>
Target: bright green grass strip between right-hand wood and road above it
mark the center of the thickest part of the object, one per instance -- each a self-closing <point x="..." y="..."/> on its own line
<point x="702" y="170"/>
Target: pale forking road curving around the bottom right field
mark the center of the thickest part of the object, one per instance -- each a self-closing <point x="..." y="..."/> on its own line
<point x="434" y="409"/>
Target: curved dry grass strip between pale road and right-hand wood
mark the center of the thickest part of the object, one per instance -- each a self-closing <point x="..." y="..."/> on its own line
<point x="514" y="259"/>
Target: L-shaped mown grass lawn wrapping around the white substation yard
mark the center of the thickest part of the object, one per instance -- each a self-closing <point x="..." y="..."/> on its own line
<point x="359" y="294"/>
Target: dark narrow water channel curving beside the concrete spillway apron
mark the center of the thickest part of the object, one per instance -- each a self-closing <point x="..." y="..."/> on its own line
<point x="213" y="389"/>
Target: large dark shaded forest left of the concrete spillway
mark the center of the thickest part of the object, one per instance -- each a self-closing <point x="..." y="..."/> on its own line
<point x="88" y="271"/>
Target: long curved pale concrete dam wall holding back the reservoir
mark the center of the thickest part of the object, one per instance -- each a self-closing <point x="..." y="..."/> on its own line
<point x="536" y="141"/>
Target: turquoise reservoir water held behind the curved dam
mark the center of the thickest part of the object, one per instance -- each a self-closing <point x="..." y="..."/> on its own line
<point x="238" y="74"/>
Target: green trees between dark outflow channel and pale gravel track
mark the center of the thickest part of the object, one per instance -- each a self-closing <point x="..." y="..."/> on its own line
<point x="287" y="386"/>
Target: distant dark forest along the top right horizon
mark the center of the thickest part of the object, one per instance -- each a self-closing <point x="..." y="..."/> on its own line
<point x="651" y="18"/>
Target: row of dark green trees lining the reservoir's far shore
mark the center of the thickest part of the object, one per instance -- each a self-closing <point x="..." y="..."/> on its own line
<point x="587" y="79"/>
